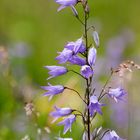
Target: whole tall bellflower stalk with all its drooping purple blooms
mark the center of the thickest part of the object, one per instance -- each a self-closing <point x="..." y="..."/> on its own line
<point x="84" y="56"/>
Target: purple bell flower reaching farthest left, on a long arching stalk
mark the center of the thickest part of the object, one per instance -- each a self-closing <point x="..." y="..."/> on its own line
<point x="53" y="90"/>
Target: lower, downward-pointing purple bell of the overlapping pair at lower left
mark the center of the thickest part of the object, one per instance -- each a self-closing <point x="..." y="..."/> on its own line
<point x="67" y="122"/>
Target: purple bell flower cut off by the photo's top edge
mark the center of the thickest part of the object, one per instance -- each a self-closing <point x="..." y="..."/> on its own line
<point x="65" y="3"/>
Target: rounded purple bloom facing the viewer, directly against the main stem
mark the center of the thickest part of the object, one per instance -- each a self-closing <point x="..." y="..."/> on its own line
<point x="86" y="71"/>
